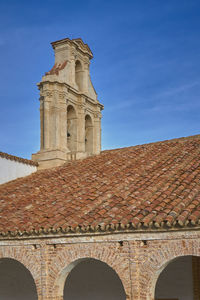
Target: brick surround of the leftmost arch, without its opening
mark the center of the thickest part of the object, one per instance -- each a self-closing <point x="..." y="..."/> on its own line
<point x="30" y="262"/>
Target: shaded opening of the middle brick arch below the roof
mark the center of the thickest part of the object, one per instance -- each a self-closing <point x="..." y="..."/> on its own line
<point x="91" y="279"/>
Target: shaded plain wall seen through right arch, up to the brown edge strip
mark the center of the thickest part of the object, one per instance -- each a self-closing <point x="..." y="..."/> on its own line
<point x="176" y="282"/>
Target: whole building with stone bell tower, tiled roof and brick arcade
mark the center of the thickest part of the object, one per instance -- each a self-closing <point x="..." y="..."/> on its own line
<point x="123" y="224"/>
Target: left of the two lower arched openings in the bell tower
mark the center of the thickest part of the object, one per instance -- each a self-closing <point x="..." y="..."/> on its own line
<point x="71" y="129"/>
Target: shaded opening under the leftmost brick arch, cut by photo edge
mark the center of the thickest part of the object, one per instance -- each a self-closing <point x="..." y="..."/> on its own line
<point x="16" y="282"/>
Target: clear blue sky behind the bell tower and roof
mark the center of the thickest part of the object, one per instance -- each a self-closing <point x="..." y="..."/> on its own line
<point x="146" y="66"/>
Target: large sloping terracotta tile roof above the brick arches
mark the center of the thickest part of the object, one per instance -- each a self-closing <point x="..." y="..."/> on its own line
<point x="144" y="187"/>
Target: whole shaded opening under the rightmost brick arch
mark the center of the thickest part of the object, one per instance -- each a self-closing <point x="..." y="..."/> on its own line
<point x="180" y="280"/>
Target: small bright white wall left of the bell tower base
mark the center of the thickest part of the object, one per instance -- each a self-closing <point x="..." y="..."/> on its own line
<point x="11" y="169"/>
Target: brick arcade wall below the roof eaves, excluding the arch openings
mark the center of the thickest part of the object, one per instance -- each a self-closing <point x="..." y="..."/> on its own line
<point x="138" y="259"/>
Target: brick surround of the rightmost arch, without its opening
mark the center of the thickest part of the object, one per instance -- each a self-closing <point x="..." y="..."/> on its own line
<point x="159" y="259"/>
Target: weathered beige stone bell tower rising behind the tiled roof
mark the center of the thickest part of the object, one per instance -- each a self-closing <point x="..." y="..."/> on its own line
<point x="70" y="114"/>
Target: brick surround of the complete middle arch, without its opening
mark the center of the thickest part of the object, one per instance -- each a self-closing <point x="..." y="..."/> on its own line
<point x="65" y="259"/>
